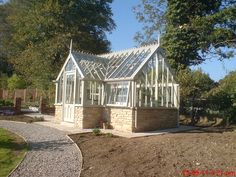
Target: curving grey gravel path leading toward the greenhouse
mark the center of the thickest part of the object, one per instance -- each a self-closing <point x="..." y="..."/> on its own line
<point x="51" y="153"/>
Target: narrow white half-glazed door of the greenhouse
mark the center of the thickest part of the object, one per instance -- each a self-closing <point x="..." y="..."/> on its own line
<point x="69" y="97"/>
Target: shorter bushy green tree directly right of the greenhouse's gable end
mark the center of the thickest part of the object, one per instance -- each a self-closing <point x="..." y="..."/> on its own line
<point x="194" y="88"/>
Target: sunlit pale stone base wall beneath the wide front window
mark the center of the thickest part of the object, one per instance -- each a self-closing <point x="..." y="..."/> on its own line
<point x="120" y="119"/>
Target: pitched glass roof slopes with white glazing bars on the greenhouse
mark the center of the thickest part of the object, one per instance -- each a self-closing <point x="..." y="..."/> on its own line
<point x="116" y="65"/>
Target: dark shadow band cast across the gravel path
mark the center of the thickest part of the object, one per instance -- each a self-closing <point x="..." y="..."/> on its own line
<point x="58" y="145"/>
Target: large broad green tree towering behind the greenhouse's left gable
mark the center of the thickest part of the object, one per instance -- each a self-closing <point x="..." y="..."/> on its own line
<point x="42" y="31"/>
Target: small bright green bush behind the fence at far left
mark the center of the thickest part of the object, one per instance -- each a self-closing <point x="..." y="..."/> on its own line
<point x="15" y="82"/>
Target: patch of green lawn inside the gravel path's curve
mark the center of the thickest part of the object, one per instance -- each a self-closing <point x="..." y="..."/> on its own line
<point x="12" y="151"/>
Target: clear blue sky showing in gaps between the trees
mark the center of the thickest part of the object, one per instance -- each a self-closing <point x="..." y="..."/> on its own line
<point x="127" y="25"/>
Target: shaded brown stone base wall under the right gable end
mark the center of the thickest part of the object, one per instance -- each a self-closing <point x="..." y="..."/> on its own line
<point x="149" y="119"/>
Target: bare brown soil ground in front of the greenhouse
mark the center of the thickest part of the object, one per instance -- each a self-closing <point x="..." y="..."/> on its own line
<point x="193" y="153"/>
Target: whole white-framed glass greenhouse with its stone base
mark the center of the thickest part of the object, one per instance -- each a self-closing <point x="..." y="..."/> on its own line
<point x="131" y="90"/>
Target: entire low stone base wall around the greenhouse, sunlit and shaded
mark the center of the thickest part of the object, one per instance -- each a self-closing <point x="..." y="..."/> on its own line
<point x="123" y="119"/>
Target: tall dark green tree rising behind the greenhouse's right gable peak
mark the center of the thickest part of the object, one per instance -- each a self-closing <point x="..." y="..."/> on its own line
<point x="192" y="31"/>
